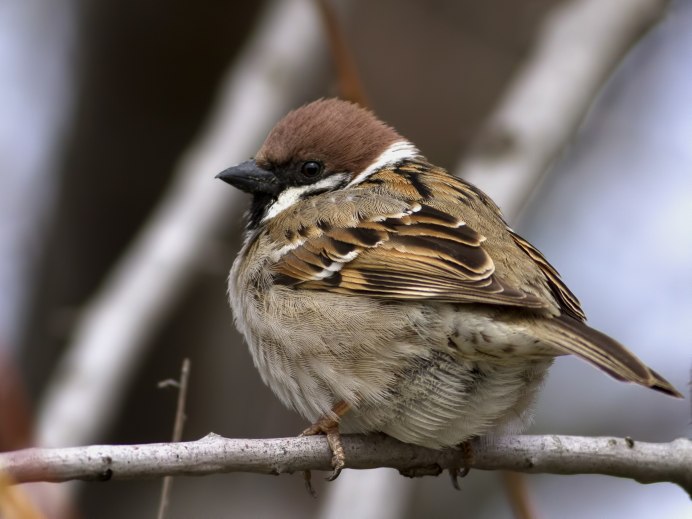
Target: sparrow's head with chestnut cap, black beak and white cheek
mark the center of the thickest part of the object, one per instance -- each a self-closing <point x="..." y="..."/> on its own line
<point x="323" y="146"/>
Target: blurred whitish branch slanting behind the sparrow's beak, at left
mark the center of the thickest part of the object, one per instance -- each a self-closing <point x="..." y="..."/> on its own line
<point x="278" y="63"/>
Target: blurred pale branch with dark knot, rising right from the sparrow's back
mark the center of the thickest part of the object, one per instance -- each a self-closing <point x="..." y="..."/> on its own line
<point x="578" y="47"/>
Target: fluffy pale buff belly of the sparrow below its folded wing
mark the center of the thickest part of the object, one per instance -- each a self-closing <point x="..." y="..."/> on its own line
<point x="424" y="378"/>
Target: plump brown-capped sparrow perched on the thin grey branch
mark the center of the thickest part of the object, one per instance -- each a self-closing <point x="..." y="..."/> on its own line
<point x="379" y="293"/>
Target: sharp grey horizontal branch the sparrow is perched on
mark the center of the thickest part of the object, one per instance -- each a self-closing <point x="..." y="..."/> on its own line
<point x="213" y="454"/>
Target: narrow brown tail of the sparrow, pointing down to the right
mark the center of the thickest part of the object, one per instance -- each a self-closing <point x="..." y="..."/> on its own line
<point x="572" y="336"/>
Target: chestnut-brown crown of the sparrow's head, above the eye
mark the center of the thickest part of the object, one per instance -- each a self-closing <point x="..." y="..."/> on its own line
<point x="342" y="135"/>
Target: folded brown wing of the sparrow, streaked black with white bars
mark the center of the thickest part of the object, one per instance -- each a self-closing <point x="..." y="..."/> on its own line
<point x="424" y="254"/>
